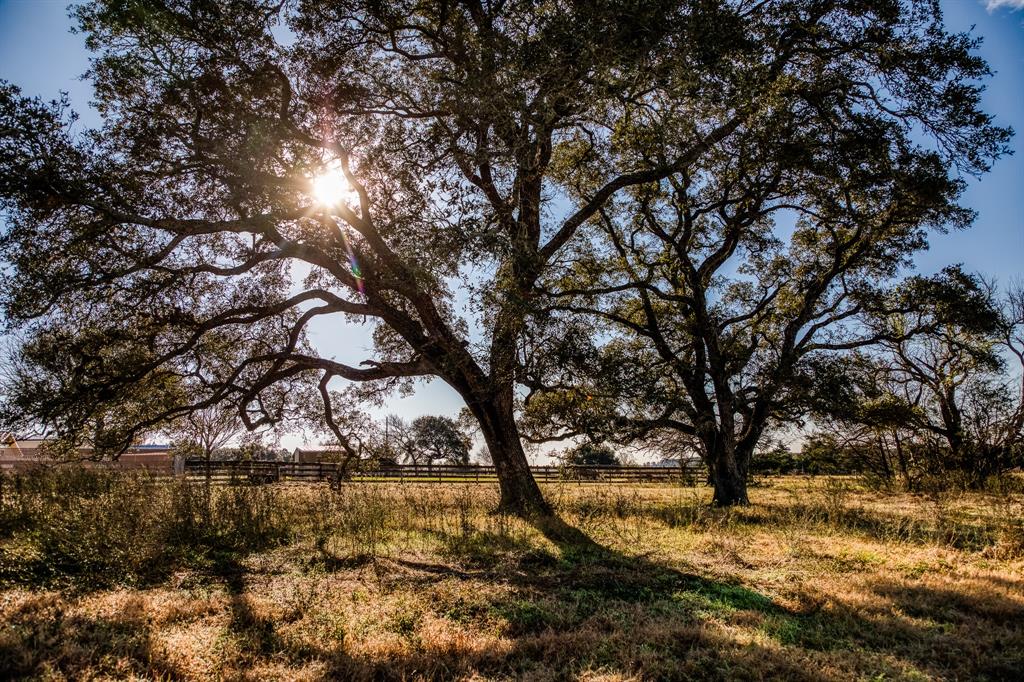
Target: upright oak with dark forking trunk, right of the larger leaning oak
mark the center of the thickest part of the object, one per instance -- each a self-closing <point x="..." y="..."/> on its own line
<point x="729" y="288"/>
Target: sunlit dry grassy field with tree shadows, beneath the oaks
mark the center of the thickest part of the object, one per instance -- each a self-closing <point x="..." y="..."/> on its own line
<point x="819" y="579"/>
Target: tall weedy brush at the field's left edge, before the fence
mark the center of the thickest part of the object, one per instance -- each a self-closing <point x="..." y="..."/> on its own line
<point x="100" y="528"/>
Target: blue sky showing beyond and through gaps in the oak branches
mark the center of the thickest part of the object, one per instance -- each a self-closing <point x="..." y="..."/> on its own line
<point x="39" y="54"/>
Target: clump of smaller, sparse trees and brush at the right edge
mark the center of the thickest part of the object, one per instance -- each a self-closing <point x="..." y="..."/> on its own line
<point x="943" y="407"/>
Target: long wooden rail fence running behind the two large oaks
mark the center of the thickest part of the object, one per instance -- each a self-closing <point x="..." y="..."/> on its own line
<point x="267" y="473"/>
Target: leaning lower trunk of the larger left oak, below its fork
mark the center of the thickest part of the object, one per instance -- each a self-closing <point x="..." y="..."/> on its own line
<point x="521" y="494"/>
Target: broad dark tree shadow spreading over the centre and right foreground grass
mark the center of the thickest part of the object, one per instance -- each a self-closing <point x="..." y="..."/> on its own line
<point x="587" y="608"/>
